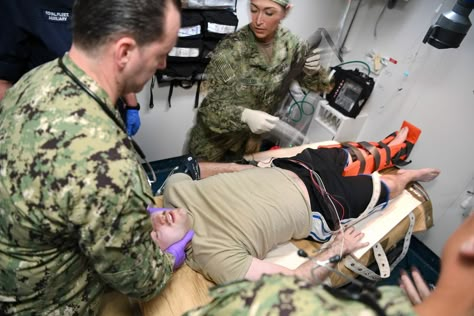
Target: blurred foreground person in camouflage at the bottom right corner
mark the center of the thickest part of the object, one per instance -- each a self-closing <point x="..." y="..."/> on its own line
<point x="284" y="295"/>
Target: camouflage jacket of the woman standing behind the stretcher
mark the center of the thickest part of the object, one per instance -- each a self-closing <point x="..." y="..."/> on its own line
<point x="238" y="77"/>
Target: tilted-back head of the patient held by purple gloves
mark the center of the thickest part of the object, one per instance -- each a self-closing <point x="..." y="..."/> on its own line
<point x="169" y="226"/>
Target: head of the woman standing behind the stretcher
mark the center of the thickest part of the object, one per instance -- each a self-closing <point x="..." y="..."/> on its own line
<point x="266" y="17"/>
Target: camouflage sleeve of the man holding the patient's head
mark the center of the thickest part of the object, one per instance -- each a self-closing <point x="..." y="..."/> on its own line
<point x="114" y="228"/>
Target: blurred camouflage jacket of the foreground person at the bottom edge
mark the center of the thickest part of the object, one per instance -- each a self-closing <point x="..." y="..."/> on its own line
<point x="284" y="295"/>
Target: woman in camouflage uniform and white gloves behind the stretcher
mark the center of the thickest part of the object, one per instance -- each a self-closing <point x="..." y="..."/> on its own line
<point x="244" y="83"/>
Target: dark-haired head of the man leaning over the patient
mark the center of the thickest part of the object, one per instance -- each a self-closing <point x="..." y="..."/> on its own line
<point x="128" y="39"/>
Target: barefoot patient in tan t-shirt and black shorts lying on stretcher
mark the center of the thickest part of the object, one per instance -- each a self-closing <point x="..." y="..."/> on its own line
<point x="238" y="217"/>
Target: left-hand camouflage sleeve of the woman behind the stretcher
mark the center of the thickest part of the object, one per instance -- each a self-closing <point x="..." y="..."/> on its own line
<point x="221" y="109"/>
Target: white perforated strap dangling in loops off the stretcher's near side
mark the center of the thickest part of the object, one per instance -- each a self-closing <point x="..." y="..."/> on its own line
<point x="380" y="257"/>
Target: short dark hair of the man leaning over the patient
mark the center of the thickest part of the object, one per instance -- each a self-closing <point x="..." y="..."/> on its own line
<point x="96" y="21"/>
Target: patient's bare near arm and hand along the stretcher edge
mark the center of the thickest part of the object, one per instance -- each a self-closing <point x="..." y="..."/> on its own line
<point x="343" y="244"/>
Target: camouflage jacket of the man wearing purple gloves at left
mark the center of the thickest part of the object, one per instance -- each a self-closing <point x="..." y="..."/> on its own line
<point x="73" y="197"/>
